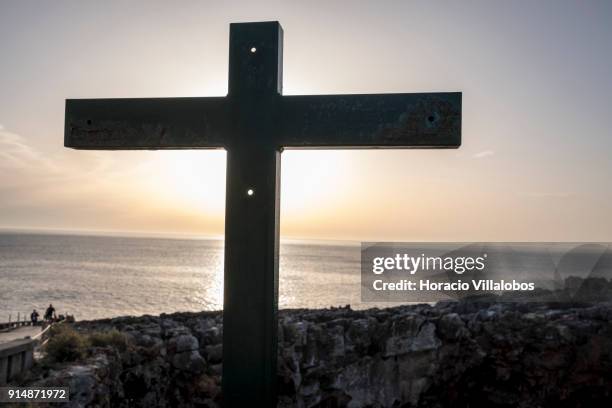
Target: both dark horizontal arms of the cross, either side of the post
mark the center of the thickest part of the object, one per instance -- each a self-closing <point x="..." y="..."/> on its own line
<point x="318" y="121"/>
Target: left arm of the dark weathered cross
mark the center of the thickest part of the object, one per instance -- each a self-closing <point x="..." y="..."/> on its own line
<point x="152" y="123"/>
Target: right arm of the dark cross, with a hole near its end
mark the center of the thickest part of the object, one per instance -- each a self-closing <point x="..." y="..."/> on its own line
<point x="371" y="121"/>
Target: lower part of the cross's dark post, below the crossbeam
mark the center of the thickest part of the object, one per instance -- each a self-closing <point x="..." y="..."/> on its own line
<point x="251" y="277"/>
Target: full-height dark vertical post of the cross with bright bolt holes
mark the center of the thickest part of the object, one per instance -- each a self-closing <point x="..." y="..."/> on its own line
<point x="252" y="216"/>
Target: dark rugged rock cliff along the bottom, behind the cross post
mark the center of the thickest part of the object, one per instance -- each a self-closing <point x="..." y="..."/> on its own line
<point x="460" y="355"/>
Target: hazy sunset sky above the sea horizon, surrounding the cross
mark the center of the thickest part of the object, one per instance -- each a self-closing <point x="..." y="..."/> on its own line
<point x="534" y="165"/>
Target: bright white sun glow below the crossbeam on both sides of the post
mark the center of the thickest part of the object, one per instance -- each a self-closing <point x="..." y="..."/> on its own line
<point x="194" y="181"/>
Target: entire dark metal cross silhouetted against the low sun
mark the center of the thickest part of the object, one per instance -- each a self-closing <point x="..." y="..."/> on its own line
<point x="254" y="123"/>
